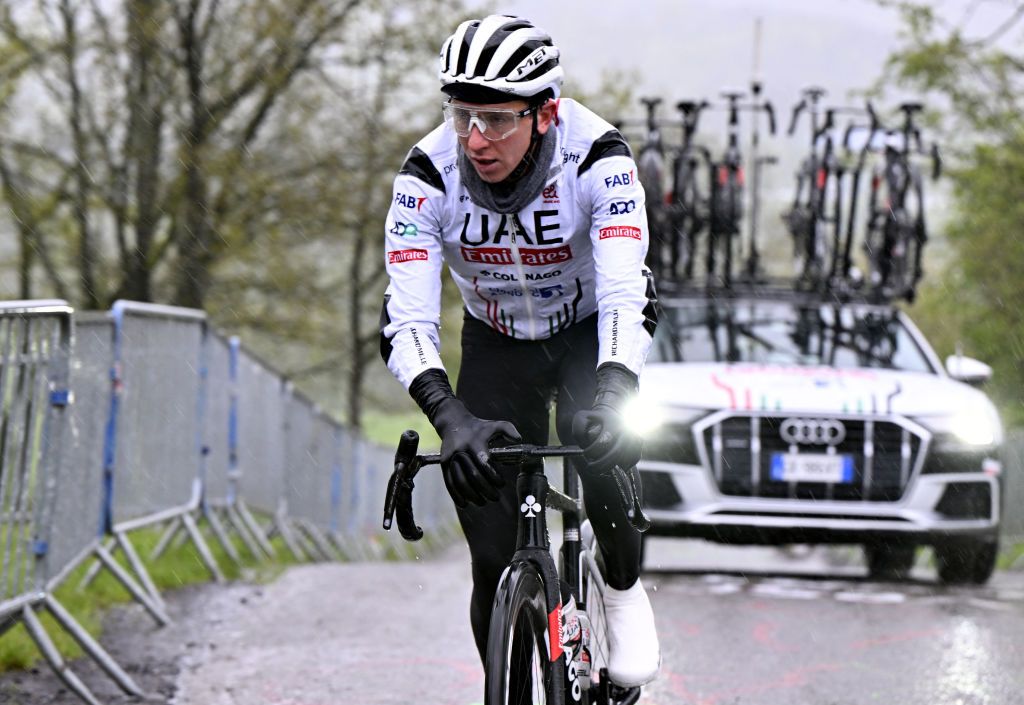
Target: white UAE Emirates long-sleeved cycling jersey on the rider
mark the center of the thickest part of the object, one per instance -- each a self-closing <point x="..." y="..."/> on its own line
<point x="577" y="250"/>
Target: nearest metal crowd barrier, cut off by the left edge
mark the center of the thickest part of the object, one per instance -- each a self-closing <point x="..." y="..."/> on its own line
<point x="36" y="489"/>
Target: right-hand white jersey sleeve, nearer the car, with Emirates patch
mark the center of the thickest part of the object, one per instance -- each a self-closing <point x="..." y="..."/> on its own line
<point x="626" y="303"/>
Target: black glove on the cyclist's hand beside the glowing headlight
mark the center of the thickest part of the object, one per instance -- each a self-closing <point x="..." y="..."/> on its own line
<point x="602" y="432"/>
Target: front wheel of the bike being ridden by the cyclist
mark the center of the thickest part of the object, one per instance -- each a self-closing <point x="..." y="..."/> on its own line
<point x="519" y="663"/>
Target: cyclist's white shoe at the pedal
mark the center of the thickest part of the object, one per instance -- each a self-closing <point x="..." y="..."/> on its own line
<point x="634" y="657"/>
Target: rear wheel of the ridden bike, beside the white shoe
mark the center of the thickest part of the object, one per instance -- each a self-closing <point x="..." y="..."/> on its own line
<point x="603" y="691"/>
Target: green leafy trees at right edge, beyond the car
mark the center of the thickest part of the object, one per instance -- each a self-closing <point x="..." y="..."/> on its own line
<point x="975" y="75"/>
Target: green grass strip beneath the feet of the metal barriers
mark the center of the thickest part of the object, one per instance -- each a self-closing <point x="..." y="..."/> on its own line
<point x="179" y="567"/>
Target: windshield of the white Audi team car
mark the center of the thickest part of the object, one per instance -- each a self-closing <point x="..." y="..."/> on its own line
<point x="786" y="334"/>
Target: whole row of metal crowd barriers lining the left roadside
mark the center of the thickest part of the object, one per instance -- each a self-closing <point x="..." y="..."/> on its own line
<point x="146" y="418"/>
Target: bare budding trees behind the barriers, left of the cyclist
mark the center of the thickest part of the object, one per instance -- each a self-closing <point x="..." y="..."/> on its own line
<point x="226" y="154"/>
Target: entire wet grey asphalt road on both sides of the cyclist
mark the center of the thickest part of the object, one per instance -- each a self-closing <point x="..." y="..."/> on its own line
<point x="739" y="627"/>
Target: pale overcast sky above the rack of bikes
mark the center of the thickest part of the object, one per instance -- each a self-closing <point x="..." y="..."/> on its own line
<point x="694" y="49"/>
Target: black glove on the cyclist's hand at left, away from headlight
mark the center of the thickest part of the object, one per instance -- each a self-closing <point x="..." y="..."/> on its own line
<point x="466" y="467"/>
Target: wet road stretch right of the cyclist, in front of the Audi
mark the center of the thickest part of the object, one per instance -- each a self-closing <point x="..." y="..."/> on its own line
<point x="812" y="631"/>
